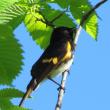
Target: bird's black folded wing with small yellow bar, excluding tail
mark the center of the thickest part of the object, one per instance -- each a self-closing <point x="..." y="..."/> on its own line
<point x="49" y="60"/>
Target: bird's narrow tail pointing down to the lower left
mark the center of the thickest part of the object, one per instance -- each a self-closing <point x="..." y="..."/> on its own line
<point x="31" y="86"/>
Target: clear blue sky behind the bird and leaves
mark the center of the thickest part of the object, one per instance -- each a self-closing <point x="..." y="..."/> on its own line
<point x="88" y="85"/>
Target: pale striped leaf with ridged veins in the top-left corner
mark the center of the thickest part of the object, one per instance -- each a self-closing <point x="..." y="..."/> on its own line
<point x="12" y="15"/>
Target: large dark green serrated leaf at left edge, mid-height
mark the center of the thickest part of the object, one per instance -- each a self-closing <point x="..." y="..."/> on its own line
<point x="10" y="56"/>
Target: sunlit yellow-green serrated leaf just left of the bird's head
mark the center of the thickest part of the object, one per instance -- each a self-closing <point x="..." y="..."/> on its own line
<point x="38" y="30"/>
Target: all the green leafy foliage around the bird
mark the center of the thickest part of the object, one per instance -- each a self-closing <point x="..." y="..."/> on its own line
<point x="37" y="15"/>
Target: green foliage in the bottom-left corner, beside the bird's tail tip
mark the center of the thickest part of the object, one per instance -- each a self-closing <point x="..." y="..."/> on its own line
<point x="6" y="95"/>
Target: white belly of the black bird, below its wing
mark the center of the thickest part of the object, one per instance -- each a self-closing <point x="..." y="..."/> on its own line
<point x="62" y="68"/>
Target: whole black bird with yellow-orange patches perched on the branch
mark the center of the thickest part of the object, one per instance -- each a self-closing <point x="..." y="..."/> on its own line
<point x="56" y="58"/>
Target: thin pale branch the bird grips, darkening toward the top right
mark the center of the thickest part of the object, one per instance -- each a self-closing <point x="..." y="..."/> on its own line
<point x="65" y="74"/>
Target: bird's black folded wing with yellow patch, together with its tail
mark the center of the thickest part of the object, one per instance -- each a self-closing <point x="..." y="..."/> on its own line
<point x="49" y="60"/>
